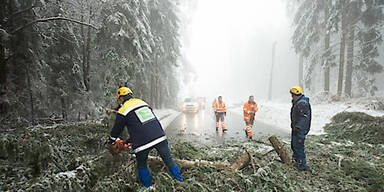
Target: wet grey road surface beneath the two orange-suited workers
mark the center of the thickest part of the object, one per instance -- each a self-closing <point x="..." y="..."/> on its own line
<point x="199" y="128"/>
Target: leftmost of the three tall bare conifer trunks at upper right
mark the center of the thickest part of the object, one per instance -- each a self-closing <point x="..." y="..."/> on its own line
<point x="326" y="49"/>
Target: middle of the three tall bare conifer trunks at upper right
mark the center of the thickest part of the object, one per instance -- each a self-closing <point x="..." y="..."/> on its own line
<point x="344" y="31"/>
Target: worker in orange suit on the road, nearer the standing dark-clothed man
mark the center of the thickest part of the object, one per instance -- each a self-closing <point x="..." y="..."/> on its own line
<point x="249" y="109"/>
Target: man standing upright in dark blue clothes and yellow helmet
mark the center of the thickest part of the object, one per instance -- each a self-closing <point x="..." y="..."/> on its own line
<point x="301" y="115"/>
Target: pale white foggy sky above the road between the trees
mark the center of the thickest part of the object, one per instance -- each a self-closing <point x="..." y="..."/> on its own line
<point x="231" y="49"/>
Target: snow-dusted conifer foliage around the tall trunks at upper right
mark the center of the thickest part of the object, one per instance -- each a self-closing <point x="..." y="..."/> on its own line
<point x="341" y="22"/>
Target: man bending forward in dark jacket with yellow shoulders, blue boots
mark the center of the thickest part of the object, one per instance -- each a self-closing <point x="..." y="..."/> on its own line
<point x="145" y="133"/>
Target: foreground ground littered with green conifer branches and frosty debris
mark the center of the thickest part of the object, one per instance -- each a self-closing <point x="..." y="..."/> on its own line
<point x="73" y="158"/>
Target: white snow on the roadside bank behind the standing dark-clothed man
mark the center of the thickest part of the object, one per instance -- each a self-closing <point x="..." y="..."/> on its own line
<point x="278" y="113"/>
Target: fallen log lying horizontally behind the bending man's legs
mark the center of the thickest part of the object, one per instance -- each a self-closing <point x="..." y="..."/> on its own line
<point x="242" y="162"/>
